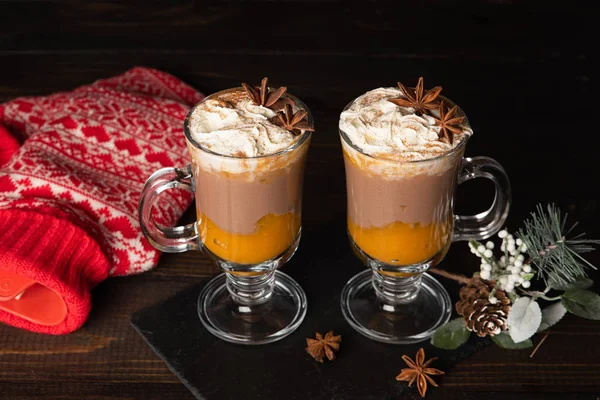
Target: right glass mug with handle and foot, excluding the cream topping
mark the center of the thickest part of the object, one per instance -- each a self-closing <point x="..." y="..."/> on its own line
<point x="401" y="222"/>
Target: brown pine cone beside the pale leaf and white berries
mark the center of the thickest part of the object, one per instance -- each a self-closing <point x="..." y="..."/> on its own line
<point x="481" y="316"/>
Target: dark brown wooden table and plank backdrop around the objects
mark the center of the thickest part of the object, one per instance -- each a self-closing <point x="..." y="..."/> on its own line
<point x="523" y="74"/>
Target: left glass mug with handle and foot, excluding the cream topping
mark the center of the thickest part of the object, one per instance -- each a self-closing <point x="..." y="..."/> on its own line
<point x="249" y="224"/>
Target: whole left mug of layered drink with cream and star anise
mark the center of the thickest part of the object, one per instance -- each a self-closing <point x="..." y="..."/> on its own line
<point x="248" y="148"/>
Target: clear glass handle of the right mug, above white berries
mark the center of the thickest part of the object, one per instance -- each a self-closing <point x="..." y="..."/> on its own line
<point x="483" y="225"/>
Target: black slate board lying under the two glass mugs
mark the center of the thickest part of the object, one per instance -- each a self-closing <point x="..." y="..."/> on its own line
<point x="213" y="369"/>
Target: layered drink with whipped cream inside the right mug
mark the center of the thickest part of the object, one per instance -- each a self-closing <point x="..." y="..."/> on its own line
<point x="399" y="188"/>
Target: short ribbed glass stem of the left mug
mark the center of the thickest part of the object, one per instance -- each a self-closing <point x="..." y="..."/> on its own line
<point x="250" y="290"/>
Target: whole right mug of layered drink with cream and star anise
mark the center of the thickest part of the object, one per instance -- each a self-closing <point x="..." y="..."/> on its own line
<point x="403" y="151"/>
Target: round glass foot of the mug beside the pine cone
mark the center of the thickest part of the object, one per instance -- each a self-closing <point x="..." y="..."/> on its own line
<point x="407" y="323"/>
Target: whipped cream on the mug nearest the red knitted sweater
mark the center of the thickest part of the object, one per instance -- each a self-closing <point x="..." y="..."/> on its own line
<point x="231" y="124"/>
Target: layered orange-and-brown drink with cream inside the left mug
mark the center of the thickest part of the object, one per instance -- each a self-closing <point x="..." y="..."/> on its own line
<point x="248" y="171"/>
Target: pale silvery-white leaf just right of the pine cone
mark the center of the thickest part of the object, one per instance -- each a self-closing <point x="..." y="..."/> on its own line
<point x="524" y="319"/>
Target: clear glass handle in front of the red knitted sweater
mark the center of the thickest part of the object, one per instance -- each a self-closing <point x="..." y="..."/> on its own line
<point x="170" y="240"/>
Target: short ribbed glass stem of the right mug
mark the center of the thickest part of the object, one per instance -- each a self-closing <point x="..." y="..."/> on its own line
<point x="395" y="290"/>
